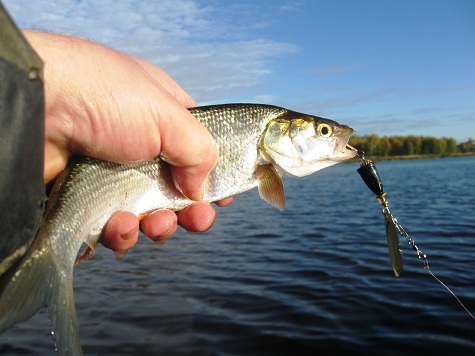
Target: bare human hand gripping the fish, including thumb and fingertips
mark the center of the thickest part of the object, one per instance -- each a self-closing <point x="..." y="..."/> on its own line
<point x="109" y="105"/>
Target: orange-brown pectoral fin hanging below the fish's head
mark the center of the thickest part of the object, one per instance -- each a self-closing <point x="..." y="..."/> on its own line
<point x="270" y="185"/>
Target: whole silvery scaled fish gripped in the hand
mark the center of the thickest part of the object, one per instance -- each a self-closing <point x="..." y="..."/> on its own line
<point x="258" y="145"/>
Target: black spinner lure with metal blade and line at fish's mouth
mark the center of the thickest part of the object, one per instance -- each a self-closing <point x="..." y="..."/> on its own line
<point x="372" y="179"/>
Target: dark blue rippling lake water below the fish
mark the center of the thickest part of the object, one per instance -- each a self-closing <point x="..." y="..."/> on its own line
<point x="314" y="279"/>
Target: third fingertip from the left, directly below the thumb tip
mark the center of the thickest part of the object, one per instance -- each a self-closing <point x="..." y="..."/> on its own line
<point x="198" y="217"/>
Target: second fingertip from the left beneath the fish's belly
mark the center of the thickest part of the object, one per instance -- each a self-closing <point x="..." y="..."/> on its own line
<point x="159" y="225"/>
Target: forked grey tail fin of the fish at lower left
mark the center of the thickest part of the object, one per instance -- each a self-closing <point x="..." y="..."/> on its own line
<point x="36" y="282"/>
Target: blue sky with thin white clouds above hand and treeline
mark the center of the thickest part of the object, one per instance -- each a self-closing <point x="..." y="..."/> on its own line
<point x="385" y="67"/>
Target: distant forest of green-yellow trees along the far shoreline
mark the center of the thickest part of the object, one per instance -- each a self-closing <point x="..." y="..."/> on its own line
<point x="375" y="145"/>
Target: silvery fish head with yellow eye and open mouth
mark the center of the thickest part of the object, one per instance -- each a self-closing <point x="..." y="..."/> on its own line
<point x="298" y="144"/>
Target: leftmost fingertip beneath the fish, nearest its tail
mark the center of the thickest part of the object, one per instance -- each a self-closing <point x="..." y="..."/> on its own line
<point x="121" y="231"/>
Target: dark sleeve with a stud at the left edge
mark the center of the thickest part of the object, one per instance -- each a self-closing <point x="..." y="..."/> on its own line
<point x="22" y="191"/>
